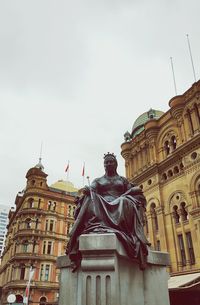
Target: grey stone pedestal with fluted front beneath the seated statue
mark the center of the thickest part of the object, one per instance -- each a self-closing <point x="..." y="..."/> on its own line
<point x="107" y="276"/>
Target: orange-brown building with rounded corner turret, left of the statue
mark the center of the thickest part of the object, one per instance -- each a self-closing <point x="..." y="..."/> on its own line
<point x="37" y="235"/>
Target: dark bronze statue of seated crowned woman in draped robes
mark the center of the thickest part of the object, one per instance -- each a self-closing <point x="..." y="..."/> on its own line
<point x="111" y="205"/>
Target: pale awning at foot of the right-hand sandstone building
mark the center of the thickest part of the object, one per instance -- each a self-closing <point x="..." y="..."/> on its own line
<point x="183" y="281"/>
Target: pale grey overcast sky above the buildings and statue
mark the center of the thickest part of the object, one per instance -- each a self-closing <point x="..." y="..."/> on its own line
<point x="77" y="74"/>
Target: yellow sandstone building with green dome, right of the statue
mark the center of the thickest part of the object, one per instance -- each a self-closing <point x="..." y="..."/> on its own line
<point x="162" y="156"/>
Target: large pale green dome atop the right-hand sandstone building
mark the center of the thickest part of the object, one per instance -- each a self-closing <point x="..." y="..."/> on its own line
<point x="139" y="123"/>
